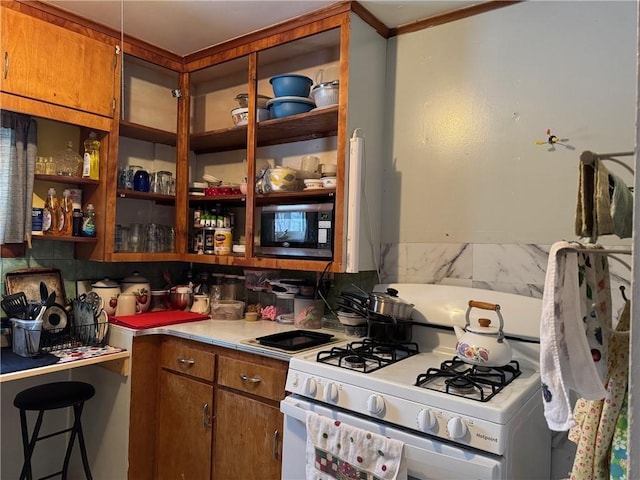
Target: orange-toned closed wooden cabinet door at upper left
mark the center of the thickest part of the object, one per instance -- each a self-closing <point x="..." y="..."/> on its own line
<point x="46" y="62"/>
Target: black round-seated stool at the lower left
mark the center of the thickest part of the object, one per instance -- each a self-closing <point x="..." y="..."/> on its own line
<point x="52" y="396"/>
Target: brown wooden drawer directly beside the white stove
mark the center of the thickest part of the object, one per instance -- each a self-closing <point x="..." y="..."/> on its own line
<point x="261" y="380"/>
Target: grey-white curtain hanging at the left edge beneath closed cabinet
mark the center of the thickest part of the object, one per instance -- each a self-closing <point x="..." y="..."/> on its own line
<point x="18" y="150"/>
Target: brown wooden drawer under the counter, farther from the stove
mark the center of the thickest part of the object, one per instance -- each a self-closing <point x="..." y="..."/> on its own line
<point x="187" y="358"/>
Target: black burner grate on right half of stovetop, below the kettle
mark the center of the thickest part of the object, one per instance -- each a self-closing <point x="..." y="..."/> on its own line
<point x="457" y="377"/>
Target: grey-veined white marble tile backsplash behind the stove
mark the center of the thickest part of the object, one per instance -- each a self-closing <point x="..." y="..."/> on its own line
<point x="519" y="269"/>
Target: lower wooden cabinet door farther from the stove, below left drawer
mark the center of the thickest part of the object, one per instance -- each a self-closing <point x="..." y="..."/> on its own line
<point x="184" y="428"/>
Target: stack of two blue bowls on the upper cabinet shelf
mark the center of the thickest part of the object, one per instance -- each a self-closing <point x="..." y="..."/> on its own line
<point x="291" y="95"/>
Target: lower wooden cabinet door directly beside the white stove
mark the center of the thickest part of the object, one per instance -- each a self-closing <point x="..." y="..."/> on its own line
<point x="248" y="438"/>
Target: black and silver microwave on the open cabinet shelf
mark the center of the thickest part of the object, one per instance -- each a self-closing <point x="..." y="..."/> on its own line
<point x="297" y="230"/>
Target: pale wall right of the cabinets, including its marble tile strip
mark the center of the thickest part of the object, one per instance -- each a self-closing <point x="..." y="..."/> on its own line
<point x="469" y="195"/>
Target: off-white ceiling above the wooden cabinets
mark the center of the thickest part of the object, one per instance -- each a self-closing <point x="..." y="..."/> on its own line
<point x="187" y="26"/>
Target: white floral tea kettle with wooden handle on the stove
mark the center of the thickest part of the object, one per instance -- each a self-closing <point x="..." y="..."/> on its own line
<point x="482" y="344"/>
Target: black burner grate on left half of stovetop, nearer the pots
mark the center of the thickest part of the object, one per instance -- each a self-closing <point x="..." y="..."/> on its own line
<point x="367" y="356"/>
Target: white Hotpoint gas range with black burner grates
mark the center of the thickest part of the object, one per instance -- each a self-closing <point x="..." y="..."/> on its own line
<point x="478" y="429"/>
